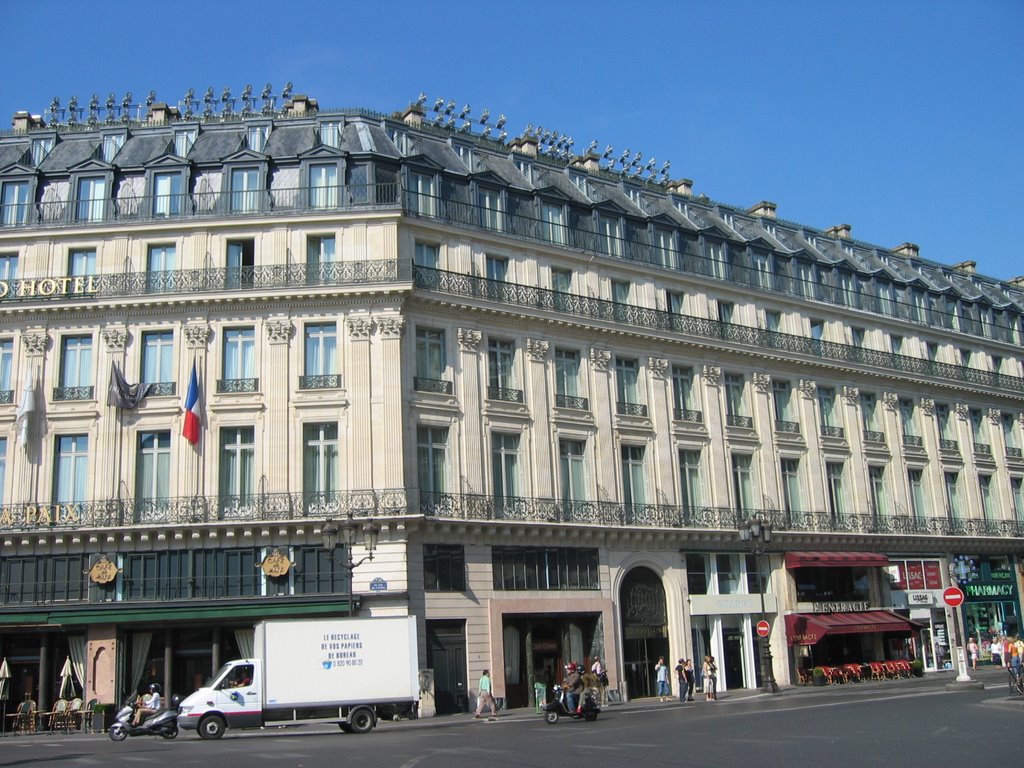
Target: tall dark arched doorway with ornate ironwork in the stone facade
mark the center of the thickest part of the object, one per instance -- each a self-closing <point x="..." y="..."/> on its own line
<point x="646" y="630"/>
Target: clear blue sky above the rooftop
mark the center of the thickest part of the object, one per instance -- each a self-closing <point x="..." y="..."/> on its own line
<point x="903" y="118"/>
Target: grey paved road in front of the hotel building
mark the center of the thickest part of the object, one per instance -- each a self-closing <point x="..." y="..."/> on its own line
<point x="906" y="723"/>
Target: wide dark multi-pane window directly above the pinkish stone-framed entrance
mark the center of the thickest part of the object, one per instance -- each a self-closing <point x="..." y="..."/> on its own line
<point x="545" y="569"/>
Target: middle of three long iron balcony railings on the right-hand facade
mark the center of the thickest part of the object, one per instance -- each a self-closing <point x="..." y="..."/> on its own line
<point x="656" y="320"/>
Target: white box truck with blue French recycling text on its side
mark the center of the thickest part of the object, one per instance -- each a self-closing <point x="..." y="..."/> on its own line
<point x="328" y="670"/>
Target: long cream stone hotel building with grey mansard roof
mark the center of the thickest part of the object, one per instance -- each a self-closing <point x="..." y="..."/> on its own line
<point x="559" y="385"/>
